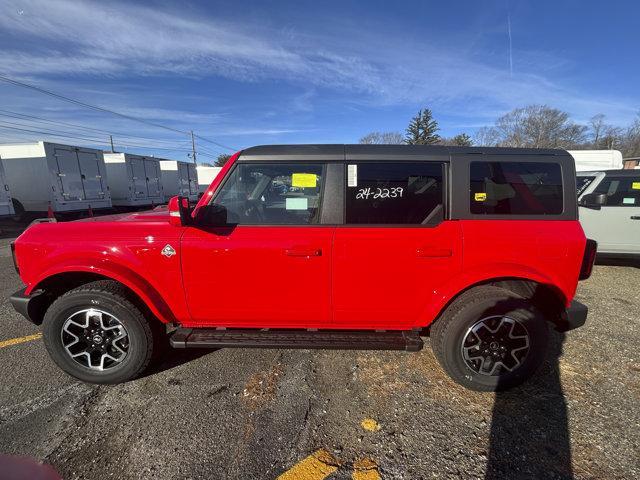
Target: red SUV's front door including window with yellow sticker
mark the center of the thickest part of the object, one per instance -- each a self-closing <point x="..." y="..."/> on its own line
<point x="270" y="267"/>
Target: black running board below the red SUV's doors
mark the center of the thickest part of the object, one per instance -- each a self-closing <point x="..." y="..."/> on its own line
<point x="331" y="339"/>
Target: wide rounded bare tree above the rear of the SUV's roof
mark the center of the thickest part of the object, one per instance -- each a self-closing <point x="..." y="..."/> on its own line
<point x="535" y="126"/>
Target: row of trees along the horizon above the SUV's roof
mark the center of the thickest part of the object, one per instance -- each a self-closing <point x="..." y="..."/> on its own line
<point x="533" y="126"/>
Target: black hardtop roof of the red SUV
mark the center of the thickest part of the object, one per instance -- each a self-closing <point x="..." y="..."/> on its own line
<point x="389" y="152"/>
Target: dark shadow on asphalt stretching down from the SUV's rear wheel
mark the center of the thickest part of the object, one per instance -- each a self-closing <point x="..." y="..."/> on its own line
<point x="529" y="428"/>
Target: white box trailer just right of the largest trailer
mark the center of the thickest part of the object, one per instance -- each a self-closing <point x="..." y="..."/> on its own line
<point x="134" y="180"/>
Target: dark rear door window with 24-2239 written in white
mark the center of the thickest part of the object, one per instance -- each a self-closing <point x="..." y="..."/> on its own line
<point x="401" y="193"/>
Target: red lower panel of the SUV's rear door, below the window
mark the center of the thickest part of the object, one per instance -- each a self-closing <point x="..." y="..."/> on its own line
<point x="383" y="277"/>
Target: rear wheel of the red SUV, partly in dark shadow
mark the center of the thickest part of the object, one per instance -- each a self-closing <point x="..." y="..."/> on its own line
<point x="480" y="339"/>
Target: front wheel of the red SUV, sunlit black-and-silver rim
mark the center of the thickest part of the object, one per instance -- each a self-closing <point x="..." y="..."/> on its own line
<point x="106" y="303"/>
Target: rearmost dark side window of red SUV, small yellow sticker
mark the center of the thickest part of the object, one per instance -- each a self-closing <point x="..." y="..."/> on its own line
<point x="516" y="188"/>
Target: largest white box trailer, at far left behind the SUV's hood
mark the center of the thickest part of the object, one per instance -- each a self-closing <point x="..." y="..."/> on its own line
<point x="66" y="178"/>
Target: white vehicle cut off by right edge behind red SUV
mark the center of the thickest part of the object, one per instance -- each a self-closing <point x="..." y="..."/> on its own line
<point x="609" y="204"/>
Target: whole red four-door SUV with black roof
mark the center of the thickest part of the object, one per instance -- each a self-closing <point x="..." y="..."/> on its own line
<point x="324" y="246"/>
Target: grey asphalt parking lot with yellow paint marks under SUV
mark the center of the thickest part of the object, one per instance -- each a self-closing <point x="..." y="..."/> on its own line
<point x="259" y="414"/>
